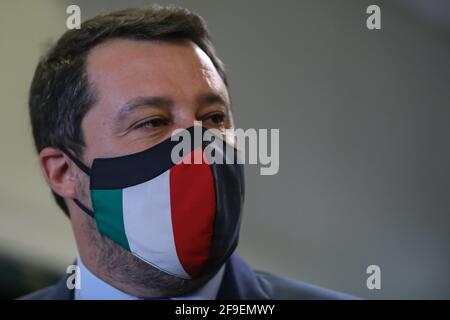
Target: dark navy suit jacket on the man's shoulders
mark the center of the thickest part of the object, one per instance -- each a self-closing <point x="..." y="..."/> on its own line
<point x="239" y="282"/>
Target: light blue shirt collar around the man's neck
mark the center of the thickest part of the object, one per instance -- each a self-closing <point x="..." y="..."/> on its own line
<point x="94" y="288"/>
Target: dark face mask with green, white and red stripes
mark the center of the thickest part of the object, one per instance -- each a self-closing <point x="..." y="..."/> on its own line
<point x="183" y="219"/>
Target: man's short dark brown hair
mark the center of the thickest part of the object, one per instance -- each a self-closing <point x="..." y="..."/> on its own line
<point x="60" y="94"/>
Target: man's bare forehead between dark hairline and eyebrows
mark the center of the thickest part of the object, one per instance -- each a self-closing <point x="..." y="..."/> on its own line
<point x="122" y="69"/>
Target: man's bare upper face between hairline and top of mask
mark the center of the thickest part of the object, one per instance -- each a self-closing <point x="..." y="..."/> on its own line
<point x="145" y="90"/>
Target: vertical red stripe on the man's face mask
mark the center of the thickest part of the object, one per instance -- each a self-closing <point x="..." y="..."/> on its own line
<point x="193" y="207"/>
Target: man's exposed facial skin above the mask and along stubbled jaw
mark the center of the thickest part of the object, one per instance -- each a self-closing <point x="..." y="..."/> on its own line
<point x="144" y="91"/>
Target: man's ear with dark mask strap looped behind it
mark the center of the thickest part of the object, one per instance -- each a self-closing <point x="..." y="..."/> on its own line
<point x="59" y="172"/>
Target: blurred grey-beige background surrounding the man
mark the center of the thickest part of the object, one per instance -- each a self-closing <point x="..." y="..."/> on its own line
<point x="364" y="141"/>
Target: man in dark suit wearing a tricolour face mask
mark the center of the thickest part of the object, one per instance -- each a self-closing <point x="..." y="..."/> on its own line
<point x="115" y="89"/>
